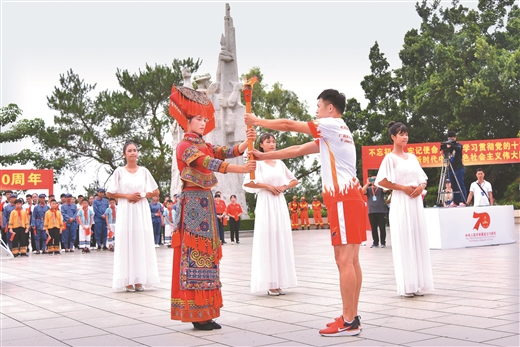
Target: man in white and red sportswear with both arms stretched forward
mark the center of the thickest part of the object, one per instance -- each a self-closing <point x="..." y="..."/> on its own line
<point x="341" y="194"/>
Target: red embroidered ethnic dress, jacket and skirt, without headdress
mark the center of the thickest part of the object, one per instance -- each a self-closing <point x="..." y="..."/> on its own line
<point x="196" y="295"/>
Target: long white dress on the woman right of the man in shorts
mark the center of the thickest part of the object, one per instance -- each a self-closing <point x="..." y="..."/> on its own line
<point x="410" y="247"/>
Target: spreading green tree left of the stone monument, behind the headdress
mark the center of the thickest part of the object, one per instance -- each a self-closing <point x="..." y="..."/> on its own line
<point x="92" y="128"/>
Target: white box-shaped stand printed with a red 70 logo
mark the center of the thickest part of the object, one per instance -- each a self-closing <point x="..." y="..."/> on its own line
<point x="459" y="227"/>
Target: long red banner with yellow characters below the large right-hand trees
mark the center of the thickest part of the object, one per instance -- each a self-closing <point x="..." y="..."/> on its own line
<point x="476" y="152"/>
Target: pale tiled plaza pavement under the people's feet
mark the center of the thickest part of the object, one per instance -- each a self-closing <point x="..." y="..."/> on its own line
<point x="67" y="300"/>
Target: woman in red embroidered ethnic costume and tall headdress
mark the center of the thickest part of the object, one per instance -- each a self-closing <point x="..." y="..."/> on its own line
<point x="196" y="295"/>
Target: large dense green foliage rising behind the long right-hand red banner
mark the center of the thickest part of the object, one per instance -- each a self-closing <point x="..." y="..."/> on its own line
<point x="460" y="71"/>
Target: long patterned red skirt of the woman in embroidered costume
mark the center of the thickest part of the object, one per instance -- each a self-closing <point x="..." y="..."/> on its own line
<point x="196" y="294"/>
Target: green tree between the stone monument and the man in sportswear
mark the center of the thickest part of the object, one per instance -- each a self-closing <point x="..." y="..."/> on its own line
<point x="276" y="102"/>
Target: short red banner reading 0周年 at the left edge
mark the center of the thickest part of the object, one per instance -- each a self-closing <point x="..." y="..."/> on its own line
<point x="26" y="179"/>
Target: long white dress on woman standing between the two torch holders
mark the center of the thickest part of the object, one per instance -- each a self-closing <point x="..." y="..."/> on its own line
<point x="272" y="264"/>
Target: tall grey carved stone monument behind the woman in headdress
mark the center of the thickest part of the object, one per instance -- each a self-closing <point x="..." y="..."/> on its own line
<point x="225" y="94"/>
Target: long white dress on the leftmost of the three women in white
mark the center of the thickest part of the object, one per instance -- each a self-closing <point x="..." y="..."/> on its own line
<point x="135" y="260"/>
